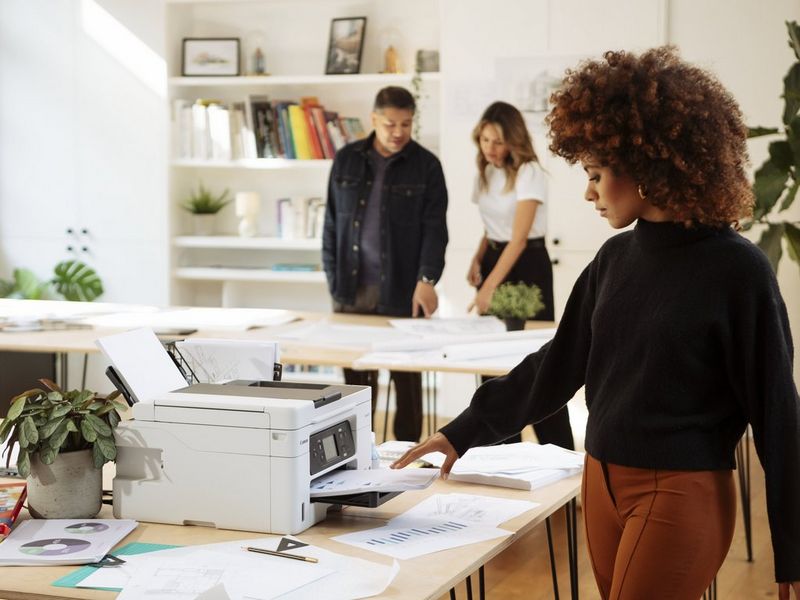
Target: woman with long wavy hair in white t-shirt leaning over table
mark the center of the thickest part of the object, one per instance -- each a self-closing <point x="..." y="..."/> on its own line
<point x="510" y="191"/>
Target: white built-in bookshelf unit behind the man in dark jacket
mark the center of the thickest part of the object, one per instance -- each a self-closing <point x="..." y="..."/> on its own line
<point x="225" y="269"/>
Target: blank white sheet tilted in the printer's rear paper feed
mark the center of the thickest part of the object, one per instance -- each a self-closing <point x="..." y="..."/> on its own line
<point x="142" y="362"/>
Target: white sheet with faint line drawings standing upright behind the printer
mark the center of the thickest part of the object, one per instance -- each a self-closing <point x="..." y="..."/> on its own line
<point x="217" y="361"/>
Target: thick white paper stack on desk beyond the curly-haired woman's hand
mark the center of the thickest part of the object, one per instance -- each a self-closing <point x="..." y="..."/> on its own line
<point x="523" y="466"/>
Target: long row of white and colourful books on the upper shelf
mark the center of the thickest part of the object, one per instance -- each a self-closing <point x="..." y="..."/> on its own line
<point x="260" y="128"/>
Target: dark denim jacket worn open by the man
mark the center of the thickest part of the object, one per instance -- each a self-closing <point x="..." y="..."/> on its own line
<point x="413" y="224"/>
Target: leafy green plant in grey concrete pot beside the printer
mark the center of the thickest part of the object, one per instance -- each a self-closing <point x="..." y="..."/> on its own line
<point x="64" y="440"/>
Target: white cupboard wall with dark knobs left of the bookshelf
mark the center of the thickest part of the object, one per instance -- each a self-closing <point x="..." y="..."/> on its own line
<point x="83" y="141"/>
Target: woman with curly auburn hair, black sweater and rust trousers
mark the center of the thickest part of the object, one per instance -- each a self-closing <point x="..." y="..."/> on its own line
<point x="676" y="328"/>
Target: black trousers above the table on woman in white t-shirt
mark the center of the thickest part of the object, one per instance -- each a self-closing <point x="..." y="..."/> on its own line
<point x="532" y="267"/>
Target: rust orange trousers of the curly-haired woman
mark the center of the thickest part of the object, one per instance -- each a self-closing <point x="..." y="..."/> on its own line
<point x="655" y="534"/>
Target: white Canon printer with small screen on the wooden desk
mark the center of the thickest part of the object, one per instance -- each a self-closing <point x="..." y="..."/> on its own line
<point x="239" y="455"/>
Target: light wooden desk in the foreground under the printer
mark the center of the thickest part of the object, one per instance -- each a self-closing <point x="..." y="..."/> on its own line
<point x="427" y="576"/>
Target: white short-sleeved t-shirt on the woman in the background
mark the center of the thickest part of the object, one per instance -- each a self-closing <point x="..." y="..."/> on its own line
<point x="497" y="207"/>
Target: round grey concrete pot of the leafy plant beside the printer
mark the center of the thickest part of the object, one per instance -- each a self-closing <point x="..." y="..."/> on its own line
<point x="70" y="488"/>
